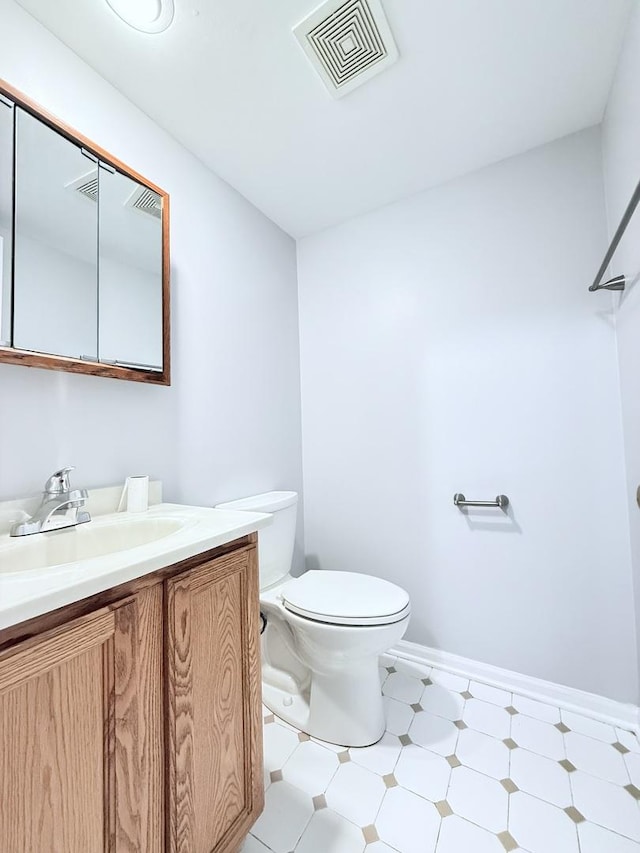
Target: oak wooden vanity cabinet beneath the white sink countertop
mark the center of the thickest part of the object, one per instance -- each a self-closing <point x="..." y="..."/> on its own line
<point x="135" y="726"/>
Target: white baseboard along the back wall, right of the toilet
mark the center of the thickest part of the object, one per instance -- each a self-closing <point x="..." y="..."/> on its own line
<point x="590" y="704"/>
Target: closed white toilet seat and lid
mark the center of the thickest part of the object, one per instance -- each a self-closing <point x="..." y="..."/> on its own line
<point x="345" y="598"/>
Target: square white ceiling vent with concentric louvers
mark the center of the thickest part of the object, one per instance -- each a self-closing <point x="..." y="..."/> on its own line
<point x="347" y="43"/>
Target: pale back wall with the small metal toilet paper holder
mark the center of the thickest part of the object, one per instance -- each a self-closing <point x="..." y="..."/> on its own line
<point x="448" y="344"/>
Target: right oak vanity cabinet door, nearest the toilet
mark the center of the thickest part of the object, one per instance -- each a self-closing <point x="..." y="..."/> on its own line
<point x="214" y="691"/>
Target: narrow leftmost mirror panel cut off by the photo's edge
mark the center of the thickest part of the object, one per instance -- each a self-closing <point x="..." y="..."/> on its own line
<point x="6" y="217"/>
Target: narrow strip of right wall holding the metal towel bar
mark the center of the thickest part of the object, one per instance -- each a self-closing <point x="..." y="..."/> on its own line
<point x="621" y="150"/>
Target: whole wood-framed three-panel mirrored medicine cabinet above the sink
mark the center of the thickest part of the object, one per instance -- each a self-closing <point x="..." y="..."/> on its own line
<point x="84" y="275"/>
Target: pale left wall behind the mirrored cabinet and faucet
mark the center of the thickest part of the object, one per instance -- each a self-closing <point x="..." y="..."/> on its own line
<point x="230" y="423"/>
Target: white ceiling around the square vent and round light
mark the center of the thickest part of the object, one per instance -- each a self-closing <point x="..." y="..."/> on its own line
<point x="477" y="81"/>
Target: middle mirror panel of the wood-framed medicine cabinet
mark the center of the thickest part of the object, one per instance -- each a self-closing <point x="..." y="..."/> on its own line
<point x="55" y="303"/>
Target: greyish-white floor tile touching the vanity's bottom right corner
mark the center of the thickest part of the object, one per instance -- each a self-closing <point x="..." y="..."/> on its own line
<point x="286" y="813"/>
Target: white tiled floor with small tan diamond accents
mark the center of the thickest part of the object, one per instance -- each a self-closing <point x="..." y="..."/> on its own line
<point x="462" y="768"/>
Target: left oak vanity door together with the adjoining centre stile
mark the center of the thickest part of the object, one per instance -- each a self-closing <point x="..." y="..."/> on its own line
<point x="81" y="735"/>
